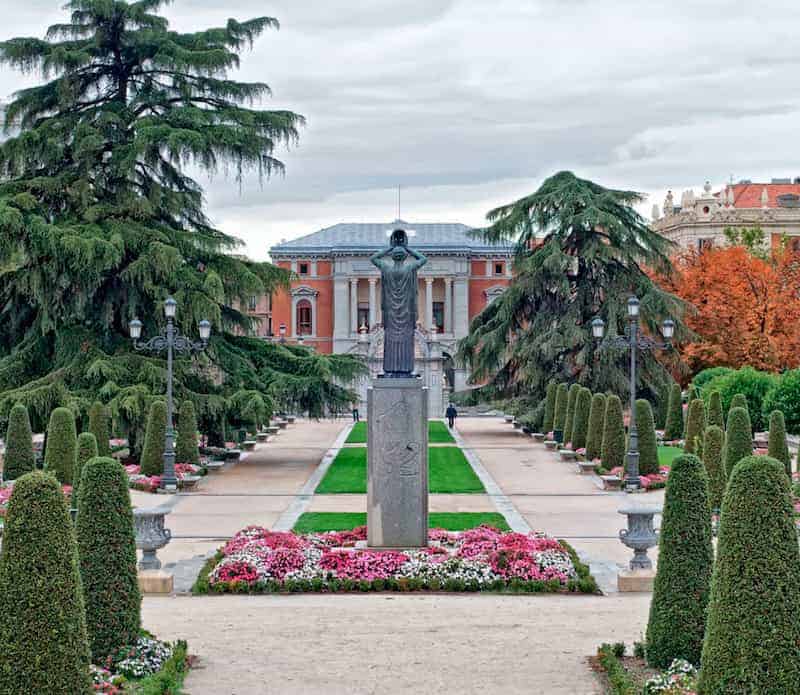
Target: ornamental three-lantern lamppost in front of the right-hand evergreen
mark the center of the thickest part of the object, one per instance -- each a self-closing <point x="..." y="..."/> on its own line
<point x="634" y="342"/>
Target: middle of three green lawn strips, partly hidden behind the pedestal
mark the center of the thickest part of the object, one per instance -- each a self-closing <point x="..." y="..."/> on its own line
<point x="448" y="472"/>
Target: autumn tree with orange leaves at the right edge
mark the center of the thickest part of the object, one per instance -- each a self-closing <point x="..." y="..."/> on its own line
<point x="747" y="307"/>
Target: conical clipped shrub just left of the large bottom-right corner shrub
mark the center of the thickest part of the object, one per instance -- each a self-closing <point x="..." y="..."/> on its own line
<point x="685" y="560"/>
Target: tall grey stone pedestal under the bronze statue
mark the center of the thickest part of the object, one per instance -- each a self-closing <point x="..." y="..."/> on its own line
<point x="397" y="464"/>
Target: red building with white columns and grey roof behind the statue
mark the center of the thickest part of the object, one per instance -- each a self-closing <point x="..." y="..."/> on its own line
<point x="333" y="304"/>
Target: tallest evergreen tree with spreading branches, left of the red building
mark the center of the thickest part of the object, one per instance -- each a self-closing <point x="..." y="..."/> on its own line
<point x="99" y="220"/>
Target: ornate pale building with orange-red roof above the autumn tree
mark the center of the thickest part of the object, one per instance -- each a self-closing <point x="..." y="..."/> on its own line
<point x="700" y="219"/>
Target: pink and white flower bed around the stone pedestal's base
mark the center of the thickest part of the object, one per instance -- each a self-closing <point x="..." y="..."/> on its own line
<point x="478" y="559"/>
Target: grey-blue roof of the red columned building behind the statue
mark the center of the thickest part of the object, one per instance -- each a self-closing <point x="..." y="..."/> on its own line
<point x="370" y="237"/>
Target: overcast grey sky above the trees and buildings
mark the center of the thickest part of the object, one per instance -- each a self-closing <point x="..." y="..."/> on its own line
<point x="469" y="104"/>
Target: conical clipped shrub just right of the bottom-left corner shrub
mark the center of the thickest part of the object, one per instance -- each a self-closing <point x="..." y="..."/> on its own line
<point x="107" y="552"/>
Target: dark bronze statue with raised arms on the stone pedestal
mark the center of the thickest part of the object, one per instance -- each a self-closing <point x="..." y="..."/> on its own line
<point x="398" y="304"/>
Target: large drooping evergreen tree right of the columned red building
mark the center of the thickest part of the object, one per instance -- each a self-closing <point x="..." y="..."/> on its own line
<point x="581" y="251"/>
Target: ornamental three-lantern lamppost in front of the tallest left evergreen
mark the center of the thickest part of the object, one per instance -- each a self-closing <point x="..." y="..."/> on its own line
<point x="171" y="341"/>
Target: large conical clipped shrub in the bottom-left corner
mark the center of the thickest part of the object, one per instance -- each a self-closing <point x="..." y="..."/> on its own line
<point x="43" y="645"/>
